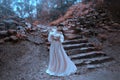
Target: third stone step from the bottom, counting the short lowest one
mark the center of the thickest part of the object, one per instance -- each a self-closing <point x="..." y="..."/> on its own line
<point x="88" y="55"/>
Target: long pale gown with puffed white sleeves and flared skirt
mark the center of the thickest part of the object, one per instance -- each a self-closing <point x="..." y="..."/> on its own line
<point x="59" y="63"/>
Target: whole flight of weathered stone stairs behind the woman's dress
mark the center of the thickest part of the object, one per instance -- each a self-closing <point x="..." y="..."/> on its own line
<point x="82" y="52"/>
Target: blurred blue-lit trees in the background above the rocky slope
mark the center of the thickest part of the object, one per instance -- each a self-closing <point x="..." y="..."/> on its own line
<point x="37" y="8"/>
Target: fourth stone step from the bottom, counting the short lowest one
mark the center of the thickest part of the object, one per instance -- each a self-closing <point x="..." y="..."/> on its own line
<point x="82" y="50"/>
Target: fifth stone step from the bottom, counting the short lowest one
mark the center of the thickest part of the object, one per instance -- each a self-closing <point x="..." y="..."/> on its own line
<point x="74" y="46"/>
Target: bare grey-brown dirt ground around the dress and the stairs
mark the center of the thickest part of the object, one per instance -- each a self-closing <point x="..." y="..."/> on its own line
<point x="26" y="60"/>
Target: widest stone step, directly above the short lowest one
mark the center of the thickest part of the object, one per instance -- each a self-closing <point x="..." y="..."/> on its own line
<point x="97" y="60"/>
